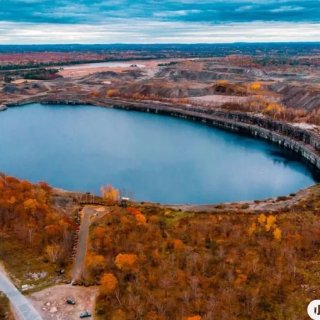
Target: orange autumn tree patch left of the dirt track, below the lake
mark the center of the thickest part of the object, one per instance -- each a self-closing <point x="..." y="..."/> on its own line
<point x="28" y="214"/>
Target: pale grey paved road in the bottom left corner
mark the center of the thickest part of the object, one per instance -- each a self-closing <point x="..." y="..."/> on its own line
<point x="24" y="309"/>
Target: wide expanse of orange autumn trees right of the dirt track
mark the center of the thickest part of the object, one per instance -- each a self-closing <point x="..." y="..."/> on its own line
<point x="211" y="266"/>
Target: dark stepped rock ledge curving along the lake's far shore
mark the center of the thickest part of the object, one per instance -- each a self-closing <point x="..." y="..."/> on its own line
<point x="302" y="141"/>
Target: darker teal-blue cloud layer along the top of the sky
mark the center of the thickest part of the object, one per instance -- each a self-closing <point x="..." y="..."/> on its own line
<point x="212" y="11"/>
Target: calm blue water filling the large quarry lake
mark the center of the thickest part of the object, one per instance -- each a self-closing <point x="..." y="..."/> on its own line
<point x="147" y="156"/>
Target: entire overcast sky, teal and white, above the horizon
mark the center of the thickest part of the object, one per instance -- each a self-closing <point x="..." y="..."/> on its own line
<point x="158" y="21"/>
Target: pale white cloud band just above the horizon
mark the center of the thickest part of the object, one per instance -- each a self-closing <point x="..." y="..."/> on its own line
<point x="148" y="31"/>
